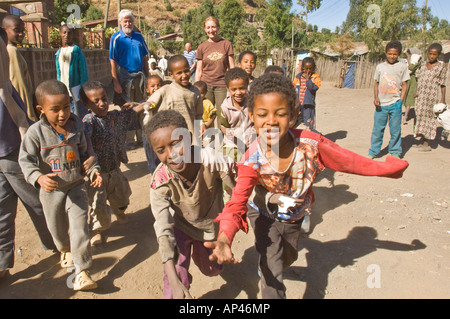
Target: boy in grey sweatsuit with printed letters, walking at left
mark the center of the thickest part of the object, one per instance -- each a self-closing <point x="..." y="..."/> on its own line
<point x="52" y="157"/>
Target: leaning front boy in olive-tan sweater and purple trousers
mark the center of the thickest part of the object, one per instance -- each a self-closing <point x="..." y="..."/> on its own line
<point x="185" y="196"/>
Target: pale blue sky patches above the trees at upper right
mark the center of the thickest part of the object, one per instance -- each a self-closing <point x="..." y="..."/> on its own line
<point x="333" y="12"/>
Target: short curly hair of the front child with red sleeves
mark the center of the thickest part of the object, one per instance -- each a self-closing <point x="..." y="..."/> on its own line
<point x="272" y="83"/>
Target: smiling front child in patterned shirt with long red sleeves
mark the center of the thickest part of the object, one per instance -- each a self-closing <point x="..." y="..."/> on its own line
<point x="275" y="178"/>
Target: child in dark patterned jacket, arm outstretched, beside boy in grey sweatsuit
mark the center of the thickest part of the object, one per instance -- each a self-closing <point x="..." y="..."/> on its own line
<point x="106" y="131"/>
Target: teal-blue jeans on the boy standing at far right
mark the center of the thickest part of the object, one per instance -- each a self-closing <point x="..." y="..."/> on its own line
<point x="393" y="114"/>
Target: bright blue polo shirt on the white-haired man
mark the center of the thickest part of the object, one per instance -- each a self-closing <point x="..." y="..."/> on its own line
<point x="128" y="50"/>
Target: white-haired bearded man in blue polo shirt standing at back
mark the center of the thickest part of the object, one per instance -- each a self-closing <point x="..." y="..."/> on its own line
<point x="129" y="68"/>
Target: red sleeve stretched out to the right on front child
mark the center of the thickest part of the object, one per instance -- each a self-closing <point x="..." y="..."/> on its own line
<point x="339" y="159"/>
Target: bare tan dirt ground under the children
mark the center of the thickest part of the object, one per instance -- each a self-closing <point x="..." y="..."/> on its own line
<point x="370" y="237"/>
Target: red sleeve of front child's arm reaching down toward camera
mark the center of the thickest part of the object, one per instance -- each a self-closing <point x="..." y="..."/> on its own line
<point x="234" y="215"/>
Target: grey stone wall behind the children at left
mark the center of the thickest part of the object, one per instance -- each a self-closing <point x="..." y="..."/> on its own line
<point x="42" y="64"/>
